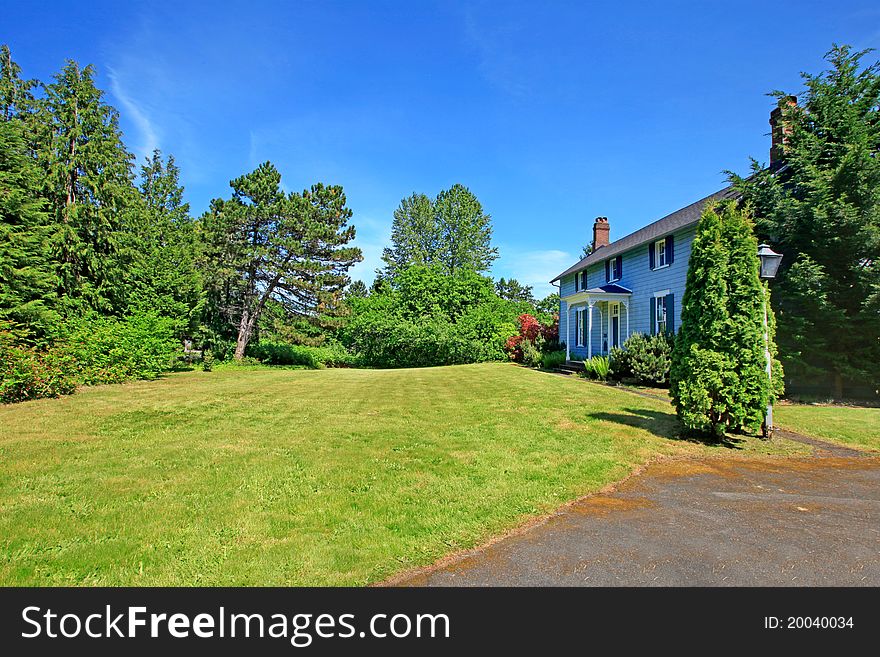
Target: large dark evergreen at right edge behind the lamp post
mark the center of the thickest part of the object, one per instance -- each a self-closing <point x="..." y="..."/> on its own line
<point x="822" y="211"/>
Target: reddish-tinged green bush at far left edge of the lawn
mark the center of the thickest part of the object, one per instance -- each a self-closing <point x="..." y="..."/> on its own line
<point x="27" y="374"/>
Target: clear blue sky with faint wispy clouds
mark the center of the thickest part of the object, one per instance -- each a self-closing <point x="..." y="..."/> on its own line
<point x="552" y="113"/>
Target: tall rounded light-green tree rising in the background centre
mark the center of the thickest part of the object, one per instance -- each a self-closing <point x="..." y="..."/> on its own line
<point x="451" y="233"/>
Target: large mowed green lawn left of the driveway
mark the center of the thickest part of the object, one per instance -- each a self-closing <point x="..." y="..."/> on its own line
<point x="285" y="477"/>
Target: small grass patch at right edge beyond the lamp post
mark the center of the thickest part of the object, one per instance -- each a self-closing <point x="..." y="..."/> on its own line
<point x="851" y="425"/>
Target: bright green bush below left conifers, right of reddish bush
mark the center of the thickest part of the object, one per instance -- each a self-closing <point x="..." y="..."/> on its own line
<point x="111" y="350"/>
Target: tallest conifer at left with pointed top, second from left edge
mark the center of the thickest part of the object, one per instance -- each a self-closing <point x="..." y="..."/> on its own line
<point x="89" y="186"/>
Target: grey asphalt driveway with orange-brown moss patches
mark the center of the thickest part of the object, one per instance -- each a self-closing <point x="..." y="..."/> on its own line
<point x="720" y="522"/>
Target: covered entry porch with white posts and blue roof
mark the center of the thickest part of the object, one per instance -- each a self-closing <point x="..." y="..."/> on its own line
<point x="597" y="319"/>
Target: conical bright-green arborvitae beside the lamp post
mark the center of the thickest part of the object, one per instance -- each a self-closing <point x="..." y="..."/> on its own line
<point x="717" y="374"/>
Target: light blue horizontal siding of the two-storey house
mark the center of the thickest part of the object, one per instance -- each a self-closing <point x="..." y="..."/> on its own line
<point x="645" y="284"/>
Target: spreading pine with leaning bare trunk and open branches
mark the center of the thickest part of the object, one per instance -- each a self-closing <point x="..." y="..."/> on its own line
<point x="263" y="245"/>
